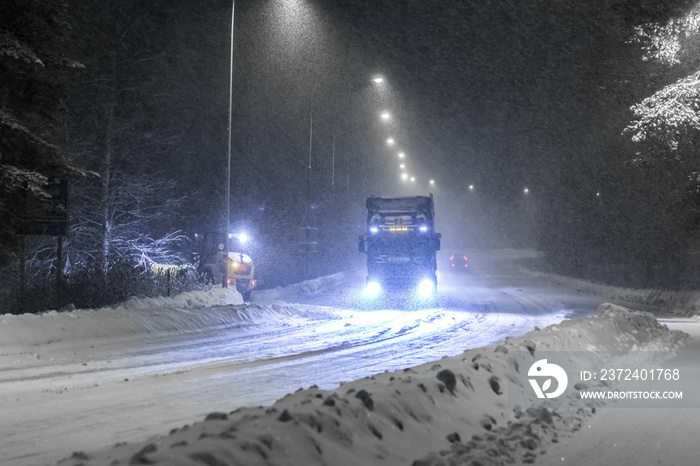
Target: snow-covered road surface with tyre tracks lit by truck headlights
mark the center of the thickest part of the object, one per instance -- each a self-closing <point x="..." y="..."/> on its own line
<point x="81" y="393"/>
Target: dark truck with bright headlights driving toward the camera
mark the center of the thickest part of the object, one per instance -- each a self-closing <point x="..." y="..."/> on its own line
<point x="401" y="245"/>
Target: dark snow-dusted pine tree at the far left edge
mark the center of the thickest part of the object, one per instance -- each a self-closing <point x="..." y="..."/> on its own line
<point x="33" y="68"/>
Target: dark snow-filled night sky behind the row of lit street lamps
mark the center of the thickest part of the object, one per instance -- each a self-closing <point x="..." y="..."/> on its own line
<point x="490" y="93"/>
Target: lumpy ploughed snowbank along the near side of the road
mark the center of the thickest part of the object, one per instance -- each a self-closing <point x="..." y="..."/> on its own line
<point x="455" y="411"/>
